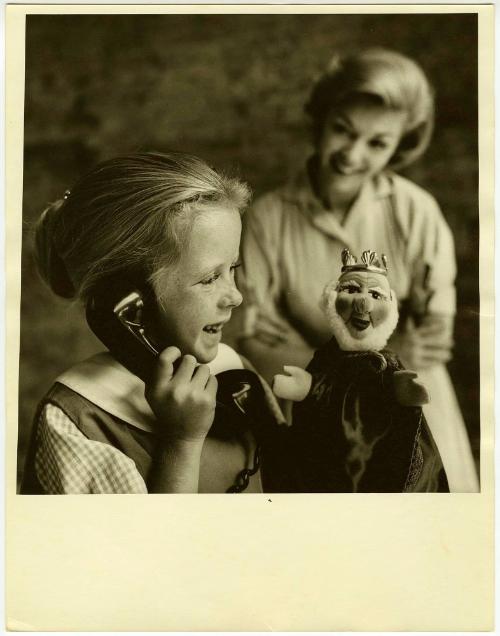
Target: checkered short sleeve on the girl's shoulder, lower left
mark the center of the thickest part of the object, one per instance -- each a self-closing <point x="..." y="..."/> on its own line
<point x="68" y="463"/>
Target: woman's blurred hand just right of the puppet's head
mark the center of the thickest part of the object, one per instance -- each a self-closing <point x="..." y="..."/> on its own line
<point x="424" y="346"/>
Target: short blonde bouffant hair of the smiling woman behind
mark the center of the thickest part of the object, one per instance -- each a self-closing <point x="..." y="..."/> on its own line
<point x="391" y="78"/>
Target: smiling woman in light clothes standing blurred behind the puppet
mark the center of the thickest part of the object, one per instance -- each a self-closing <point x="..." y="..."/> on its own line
<point x="371" y="113"/>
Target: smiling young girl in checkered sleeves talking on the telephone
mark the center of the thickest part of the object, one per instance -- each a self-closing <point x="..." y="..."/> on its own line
<point x="167" y="224"/>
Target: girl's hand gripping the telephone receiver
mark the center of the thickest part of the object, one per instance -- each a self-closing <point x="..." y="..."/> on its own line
<point x="182" y="400"/>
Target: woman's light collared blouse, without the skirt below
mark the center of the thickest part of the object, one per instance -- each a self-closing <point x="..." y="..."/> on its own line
<point x="292" y="245"/>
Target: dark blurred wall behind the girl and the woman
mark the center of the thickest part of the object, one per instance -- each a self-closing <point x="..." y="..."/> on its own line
<point x="231" y="89"/>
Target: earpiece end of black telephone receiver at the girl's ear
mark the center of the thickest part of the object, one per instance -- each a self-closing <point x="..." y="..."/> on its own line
<point x="119" y="317"/>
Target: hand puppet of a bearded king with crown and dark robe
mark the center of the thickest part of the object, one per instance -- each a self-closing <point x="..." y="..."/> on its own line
<point x="358" y="424"/>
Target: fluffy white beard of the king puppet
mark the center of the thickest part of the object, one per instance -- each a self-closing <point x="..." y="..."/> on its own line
<point x="375" y="341"/>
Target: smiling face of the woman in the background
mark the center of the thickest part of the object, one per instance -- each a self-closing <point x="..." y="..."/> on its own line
<point x="357" y="142"/>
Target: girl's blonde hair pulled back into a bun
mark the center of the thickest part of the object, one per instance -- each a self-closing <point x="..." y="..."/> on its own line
<point x="130" y="216"/>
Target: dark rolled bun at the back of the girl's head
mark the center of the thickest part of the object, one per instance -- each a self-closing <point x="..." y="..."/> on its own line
<point x="50" y="264"/>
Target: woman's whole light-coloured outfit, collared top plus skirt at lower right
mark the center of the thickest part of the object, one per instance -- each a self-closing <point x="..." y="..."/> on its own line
<point x="291" y="248"/>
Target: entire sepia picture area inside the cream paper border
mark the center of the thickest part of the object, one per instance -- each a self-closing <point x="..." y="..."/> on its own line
<point x="345" y="156"/>
